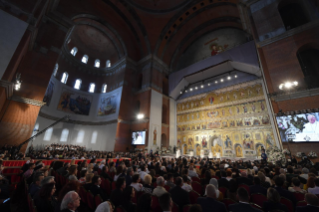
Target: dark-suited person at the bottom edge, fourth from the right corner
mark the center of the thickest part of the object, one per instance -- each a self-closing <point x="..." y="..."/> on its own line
<point x="210" y="203"/>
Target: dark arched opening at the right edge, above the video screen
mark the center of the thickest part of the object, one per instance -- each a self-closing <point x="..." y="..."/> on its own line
<point x="308" y="60"/>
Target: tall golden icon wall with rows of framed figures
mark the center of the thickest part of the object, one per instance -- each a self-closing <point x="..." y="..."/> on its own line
<point x="230" y="122"/>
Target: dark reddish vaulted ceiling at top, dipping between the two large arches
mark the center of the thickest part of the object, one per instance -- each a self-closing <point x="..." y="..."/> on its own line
<point x="159" y="27"/>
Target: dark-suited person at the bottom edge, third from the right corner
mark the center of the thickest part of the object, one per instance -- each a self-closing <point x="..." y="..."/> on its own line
<point x="243" y="205"/>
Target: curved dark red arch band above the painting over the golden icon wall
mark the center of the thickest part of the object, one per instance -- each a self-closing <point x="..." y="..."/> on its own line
<point x="182" y="17"/>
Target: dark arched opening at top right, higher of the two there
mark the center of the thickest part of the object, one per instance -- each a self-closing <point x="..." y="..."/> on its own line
<point x="292" y="14"/>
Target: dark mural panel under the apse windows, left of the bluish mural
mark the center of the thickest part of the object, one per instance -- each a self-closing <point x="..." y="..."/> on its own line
<point x="73" y="102"/>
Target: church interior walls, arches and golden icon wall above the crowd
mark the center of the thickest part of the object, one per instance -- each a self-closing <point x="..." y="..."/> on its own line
<point x="219" y="77"/>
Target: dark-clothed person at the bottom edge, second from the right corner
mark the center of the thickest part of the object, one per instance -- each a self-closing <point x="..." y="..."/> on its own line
<point x="273" y="202"/>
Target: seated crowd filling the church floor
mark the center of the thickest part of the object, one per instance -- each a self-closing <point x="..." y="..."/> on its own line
<point x="171" y="180"/>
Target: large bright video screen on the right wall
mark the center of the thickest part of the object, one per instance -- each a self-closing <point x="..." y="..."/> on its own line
<point x="299" y="128"/>
